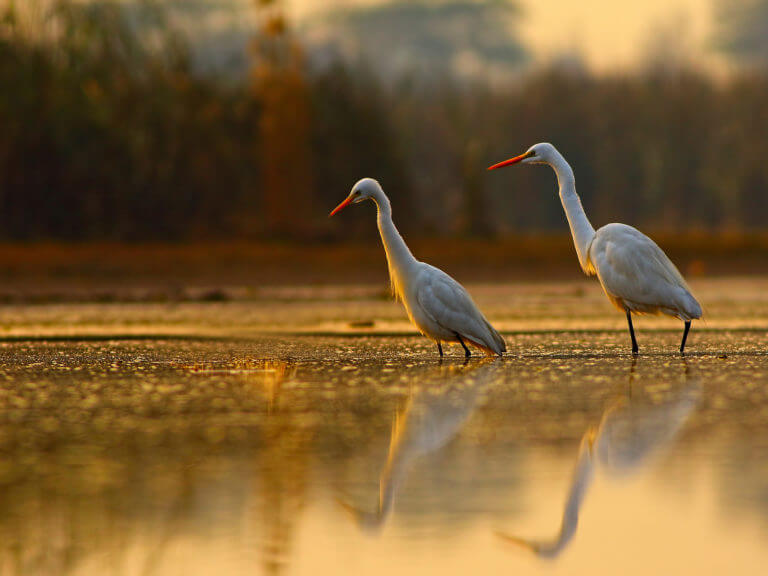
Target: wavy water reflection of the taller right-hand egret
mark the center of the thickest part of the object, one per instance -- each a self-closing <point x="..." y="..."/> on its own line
<point x="629" y="434"/>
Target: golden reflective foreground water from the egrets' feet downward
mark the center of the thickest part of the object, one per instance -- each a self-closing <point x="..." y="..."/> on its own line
<point x="365" y="455"/>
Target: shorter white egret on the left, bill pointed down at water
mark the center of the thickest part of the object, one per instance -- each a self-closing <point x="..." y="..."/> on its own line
<point x="437" y="305"/>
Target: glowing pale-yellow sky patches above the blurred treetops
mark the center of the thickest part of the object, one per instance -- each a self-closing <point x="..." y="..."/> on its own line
<point x="609" y="35"/>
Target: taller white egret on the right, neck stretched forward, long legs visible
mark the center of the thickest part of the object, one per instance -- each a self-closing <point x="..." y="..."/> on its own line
<point x="634" y="272"/>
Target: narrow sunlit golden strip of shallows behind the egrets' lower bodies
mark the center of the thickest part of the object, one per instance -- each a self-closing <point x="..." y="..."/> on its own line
<point x="361" y="310"/>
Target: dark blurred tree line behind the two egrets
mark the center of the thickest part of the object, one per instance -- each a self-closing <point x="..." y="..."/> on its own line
<point x="108" y="133"/>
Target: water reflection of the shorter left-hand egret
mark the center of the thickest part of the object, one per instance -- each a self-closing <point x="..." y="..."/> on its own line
<point x="432" y="417"/>
